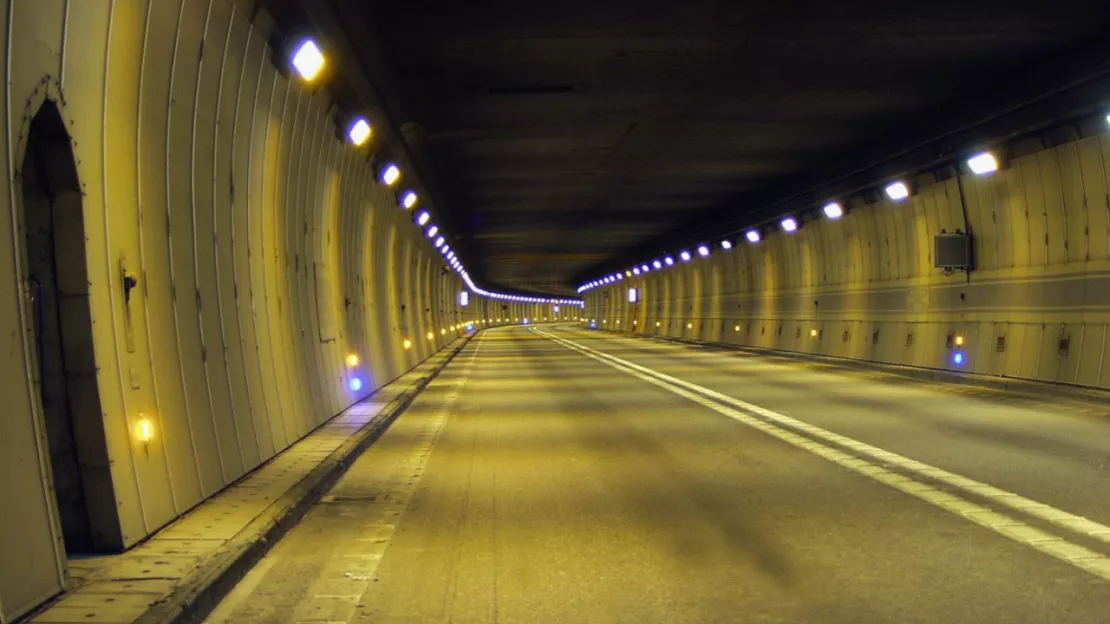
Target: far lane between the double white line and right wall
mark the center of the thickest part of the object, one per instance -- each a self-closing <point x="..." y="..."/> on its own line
<point x="1046" y="450"/>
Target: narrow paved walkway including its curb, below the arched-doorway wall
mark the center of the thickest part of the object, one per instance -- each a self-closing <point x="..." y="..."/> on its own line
<point x="183" y="571"/>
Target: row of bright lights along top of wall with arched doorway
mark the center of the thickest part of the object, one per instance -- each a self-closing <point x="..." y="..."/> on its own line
<point x="309" y="62"/>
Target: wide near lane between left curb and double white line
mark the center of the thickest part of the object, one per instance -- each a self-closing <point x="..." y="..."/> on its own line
<point x="531" y="484"/>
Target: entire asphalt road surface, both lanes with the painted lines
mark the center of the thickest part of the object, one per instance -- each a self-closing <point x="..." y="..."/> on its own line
<point x="559" y="475"/>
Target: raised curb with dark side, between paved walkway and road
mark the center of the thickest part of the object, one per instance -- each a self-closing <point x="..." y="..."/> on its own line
<point x="208" y="585"/>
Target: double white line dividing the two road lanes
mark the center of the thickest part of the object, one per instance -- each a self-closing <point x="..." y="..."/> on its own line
<point x="913" y="478"/>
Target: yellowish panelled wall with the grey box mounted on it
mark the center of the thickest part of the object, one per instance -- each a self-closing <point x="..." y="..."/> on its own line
<point x="865" y="287"/>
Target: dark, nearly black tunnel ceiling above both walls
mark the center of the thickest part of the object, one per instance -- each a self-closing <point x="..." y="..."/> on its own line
<point x="561" y="138"/>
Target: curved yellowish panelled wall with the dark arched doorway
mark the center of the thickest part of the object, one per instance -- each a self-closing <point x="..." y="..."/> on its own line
<point x="264" y="249"/>
